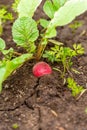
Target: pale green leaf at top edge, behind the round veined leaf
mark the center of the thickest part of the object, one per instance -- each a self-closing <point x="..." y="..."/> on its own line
<point x="27" y="7"/>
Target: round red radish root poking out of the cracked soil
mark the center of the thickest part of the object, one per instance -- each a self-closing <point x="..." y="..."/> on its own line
<point x="41" y="69"/>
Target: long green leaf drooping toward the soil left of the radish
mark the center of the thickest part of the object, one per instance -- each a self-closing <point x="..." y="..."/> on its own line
<point x="7" y="67"/>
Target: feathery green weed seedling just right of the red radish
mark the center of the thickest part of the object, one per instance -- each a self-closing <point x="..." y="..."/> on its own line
<point x="63" y="55"/>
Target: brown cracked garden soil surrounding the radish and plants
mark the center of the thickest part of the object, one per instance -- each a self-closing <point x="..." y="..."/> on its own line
<point x="45" y="103"/>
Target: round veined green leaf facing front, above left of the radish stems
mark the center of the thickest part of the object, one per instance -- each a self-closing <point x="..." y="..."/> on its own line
<point x="24" y="31"/>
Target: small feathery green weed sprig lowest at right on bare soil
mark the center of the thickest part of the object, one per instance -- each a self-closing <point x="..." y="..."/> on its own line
<point x="76" y="89"/>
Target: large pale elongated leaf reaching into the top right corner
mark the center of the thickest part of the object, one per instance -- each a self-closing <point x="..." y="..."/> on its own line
<point x="67" y="13"/>
